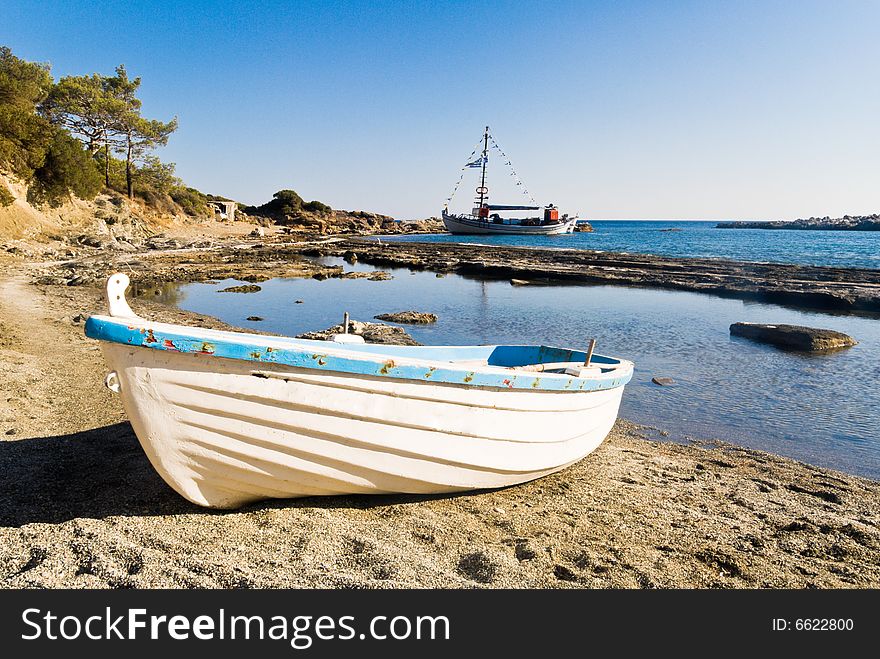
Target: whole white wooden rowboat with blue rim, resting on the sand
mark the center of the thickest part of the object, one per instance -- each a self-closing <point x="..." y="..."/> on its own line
<point x="229" y="418"/>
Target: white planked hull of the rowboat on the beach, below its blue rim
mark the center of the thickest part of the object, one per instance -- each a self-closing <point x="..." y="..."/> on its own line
<point x="227" y="432"/>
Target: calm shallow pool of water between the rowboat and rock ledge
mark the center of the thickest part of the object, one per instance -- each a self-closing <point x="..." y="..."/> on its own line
<point x="818" y="408"/>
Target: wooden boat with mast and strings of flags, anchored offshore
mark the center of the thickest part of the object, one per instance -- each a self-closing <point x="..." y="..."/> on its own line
<point x="486" y="218"/>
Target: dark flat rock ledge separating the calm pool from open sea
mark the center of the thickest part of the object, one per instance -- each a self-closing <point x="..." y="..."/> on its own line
<point x="812" y="287"/>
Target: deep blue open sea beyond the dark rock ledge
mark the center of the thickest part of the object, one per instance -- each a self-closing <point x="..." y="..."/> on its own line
<point x="848" y="249"/>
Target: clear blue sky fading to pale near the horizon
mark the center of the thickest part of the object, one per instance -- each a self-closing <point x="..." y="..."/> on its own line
<point x="614" y="109"/>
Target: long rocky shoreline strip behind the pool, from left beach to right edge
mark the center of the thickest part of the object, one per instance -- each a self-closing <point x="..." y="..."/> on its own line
<point x="280" y="254"/>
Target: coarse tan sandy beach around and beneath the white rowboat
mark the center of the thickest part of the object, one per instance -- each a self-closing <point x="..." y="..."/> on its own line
<point x="83" y="508"/>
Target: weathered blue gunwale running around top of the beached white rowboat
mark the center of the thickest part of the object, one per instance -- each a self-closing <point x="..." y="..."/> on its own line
<point x="341" y="358"/>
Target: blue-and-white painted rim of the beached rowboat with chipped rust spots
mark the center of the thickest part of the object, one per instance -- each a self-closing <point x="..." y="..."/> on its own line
<point x="373" y="360"/>
